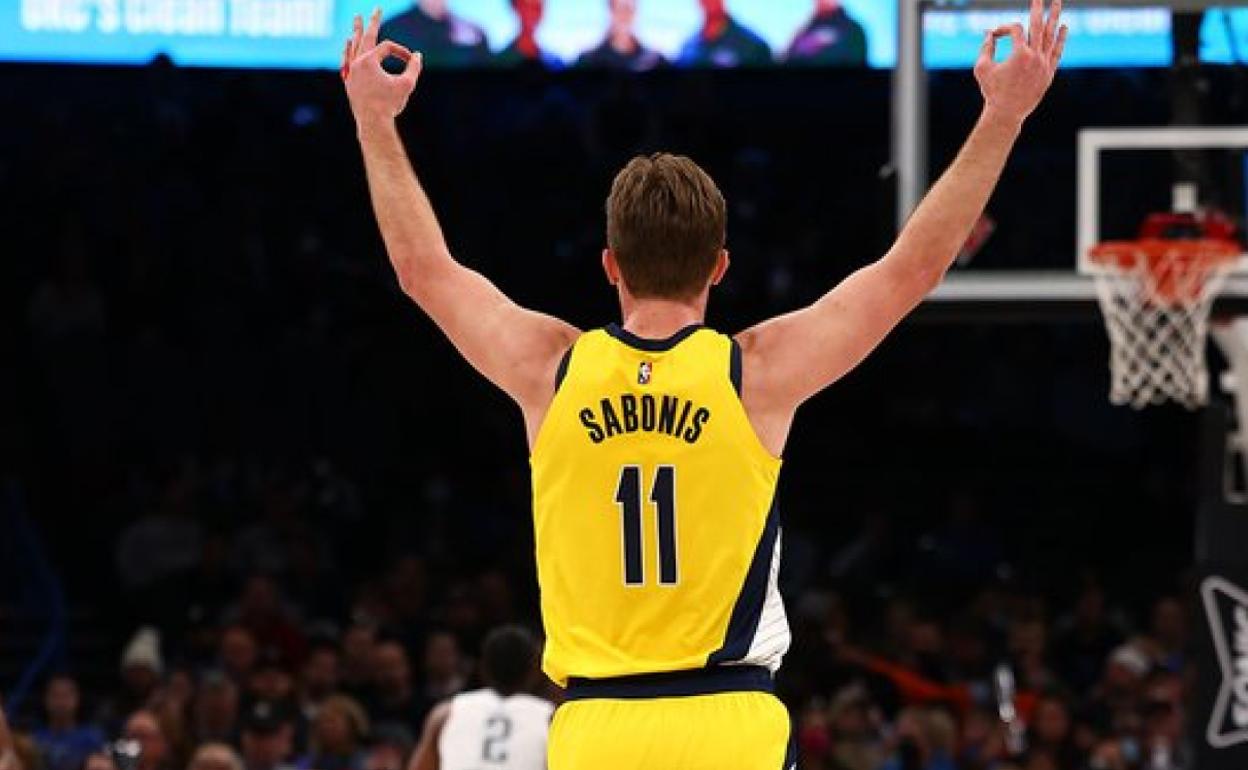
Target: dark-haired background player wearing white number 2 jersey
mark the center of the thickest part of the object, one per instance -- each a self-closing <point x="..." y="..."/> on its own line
<point x="496" y="728"/>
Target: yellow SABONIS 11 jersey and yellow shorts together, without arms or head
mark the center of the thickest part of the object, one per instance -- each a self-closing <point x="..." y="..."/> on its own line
<point x="658" y="548"/>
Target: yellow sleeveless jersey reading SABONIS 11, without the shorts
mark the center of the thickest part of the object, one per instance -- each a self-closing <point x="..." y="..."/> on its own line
<point x="658" y="542"/>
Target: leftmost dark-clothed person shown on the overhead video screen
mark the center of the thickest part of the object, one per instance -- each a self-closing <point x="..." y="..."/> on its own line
<point x="445" y="39"/>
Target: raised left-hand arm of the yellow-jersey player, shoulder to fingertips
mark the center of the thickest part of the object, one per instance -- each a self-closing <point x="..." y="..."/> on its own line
<point x="516" y="349"/>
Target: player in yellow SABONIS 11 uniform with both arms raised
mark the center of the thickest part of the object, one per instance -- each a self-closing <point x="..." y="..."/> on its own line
<point x="656" y="442"/>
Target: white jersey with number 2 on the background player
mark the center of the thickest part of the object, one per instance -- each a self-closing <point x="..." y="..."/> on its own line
<point x="490" y="732"/>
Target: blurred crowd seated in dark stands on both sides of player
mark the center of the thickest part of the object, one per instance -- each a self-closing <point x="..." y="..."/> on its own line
<point x="256" y="651"/>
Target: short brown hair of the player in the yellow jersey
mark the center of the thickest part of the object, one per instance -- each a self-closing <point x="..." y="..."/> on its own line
<point x="666" y="225"/>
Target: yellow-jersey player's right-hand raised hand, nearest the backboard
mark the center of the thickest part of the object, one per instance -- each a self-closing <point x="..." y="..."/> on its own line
<point x="1015" y="87"/>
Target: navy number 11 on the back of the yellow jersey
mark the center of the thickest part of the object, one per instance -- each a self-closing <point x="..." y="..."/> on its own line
<point x="663" y="496"/>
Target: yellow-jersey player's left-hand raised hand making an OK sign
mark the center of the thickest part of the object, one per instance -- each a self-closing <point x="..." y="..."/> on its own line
<point x="374" y="93"/>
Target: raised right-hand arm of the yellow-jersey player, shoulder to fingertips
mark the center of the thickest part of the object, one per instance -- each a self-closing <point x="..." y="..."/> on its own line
<point x="793" y="358"/>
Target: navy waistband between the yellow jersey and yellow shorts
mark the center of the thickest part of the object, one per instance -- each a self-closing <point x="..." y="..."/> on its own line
<point x="676" y="685"/>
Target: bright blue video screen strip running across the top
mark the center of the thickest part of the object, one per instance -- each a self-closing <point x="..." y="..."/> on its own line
<point x="635" y="36"/>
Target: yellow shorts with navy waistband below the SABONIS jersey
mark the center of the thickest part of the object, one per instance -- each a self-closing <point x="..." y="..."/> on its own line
<point x="716" y="731"/>
